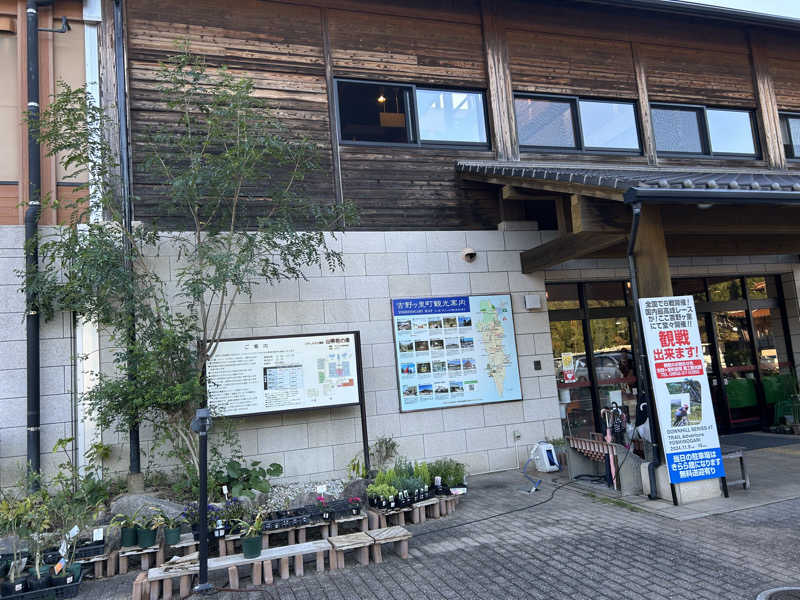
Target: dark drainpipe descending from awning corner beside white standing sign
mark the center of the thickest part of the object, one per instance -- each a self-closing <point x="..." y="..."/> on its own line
<point x="642" y="372"/>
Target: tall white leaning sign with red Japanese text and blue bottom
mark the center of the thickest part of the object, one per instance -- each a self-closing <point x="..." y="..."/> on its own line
<point x="682" y="395"/>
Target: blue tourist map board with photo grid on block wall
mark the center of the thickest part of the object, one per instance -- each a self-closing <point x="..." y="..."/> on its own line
<point x="455" y="351"/>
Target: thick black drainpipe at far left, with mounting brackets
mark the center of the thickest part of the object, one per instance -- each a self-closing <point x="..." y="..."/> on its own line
<point x="31" y="238"/>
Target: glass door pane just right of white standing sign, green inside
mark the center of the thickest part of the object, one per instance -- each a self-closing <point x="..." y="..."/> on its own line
<point x="736" y="366"/>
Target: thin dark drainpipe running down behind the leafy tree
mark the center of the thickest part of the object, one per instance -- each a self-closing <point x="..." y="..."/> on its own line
<point x="127" y="210"/>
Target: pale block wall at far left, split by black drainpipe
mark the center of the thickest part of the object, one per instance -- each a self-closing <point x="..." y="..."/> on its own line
<point x="56" y="369"/>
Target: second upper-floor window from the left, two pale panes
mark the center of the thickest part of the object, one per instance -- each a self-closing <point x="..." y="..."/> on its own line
<point x="576" y="124"/>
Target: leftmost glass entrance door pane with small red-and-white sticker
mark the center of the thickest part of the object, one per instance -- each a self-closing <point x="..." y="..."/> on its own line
<point x="574" y="390"/>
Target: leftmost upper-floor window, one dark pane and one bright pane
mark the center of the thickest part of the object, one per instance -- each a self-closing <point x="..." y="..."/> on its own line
<point x="405" y="114"/>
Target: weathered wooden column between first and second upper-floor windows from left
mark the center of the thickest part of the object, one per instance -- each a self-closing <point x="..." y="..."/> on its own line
<point x="500" y="96"/>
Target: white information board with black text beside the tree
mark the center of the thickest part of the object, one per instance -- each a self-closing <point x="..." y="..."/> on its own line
<point x="265" y="375"/>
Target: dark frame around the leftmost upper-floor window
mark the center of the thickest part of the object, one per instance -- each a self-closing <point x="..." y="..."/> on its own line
<point x="413" y="116"/>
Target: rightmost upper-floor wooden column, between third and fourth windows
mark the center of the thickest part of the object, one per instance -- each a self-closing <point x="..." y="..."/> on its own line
<point x="767" y="113"/>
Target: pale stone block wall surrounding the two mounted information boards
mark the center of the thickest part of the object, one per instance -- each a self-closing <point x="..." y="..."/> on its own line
<point x="379" y="266"/>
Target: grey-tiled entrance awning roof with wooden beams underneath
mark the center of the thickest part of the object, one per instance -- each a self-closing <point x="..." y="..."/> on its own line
<point x="594" y="221"/>
